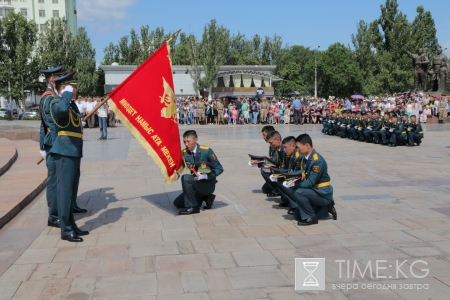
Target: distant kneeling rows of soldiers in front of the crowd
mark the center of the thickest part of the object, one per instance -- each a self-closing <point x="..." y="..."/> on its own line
<point x="372" y="128"/>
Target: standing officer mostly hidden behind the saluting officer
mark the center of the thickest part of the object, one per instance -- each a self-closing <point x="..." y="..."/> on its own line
<point x="47" y="135"/>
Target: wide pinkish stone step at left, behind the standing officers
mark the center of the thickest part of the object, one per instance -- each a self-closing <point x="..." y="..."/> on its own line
<point x="22" y="182"/>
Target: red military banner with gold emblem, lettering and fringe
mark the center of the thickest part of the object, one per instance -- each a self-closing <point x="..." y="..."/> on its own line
<point x="145" y="102"/>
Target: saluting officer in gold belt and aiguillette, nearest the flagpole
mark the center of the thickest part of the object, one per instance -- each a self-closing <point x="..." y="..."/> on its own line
<point x="67" y="151"/>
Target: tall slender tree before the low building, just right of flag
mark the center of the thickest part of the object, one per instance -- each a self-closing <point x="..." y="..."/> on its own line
<point x="214" y="47"/>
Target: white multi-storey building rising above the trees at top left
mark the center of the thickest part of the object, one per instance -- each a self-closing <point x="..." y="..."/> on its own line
<point x="41" y="11"/>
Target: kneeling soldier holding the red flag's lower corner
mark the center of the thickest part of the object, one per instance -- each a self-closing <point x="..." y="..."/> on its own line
<point x="200" y="187"/>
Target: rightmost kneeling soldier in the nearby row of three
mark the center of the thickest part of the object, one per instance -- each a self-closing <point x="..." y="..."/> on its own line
<point x="314" y="194"/>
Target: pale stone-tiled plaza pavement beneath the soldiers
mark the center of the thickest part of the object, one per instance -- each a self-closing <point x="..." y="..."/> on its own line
<point x="392" y="205"/>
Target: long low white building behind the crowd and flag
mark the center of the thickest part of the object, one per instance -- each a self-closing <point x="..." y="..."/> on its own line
<point x="230" y="81"/>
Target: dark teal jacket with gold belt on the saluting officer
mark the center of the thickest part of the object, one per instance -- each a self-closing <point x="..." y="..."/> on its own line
<point x="68" y="123"/>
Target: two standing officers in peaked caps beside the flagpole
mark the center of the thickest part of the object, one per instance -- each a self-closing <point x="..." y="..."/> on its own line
<point x="61" y="145"/>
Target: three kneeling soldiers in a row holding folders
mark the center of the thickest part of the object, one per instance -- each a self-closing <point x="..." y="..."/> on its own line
<point x="297" y="174"/>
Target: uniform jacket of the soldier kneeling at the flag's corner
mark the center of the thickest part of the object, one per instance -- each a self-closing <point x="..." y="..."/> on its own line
<point x="203" y="153"/>
